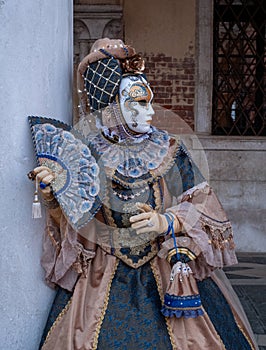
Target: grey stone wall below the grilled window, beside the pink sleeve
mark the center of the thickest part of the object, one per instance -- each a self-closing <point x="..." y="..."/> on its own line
<point x="238" y="175"/>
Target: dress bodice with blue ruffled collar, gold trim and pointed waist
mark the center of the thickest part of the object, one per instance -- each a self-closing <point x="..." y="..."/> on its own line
<point x="129" y="180"/>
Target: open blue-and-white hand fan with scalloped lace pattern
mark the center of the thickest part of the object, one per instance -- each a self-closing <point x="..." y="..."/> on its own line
<point x="76" y="186"/>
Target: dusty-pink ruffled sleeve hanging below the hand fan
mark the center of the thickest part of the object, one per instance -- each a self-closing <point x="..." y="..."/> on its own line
<point x="66" y="254"/>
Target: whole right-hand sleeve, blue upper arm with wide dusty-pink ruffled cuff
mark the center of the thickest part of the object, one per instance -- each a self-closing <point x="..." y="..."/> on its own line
<point x="201" y="215"/>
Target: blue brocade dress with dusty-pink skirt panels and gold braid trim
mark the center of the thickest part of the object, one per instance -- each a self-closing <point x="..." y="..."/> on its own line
<point x="131" y="316"/>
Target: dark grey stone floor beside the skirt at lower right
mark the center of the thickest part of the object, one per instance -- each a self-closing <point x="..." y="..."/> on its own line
<point x="248" y="279"/>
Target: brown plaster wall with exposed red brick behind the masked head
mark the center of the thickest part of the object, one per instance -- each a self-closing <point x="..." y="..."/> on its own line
<point x="164" y="31"/>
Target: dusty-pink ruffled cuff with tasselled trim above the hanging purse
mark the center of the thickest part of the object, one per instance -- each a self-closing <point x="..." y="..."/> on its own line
<point x="205" y="221"/>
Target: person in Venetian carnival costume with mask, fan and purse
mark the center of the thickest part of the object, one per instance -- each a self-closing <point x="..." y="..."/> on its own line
<point x="135" y="237"/>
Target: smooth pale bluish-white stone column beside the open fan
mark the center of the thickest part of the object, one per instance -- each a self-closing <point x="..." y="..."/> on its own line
<point x="35" y="79"/>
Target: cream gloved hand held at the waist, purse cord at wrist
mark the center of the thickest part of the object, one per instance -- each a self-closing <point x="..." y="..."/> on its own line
<point x="150" y="221"/>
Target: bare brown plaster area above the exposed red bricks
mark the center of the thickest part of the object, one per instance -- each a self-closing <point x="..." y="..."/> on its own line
<point x="155" y="26"/>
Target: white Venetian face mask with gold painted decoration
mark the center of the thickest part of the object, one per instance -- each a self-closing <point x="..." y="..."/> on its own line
<point x="135" y="98"/>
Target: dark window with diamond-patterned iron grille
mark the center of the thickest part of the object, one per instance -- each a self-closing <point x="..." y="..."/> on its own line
<point x="239" y="99"/>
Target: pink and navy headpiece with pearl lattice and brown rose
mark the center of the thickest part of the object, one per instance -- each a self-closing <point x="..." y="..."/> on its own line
<point x="103" y="68"/>
